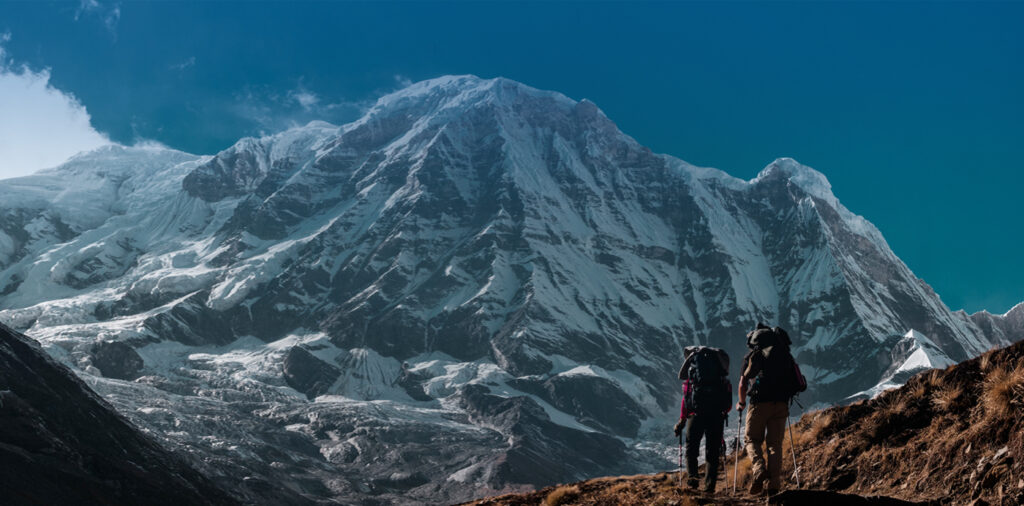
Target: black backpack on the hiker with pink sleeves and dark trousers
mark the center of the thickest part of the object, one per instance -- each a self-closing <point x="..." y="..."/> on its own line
<point x="706" y="382"/>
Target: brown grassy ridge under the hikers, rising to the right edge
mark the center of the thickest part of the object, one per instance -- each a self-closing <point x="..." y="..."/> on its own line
<point x="948" y="437"/>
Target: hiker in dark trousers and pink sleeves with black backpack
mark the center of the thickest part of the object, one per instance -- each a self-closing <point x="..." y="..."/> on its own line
<point x="707" y="402"/>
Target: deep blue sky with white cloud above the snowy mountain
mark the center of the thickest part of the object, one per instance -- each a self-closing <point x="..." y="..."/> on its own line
<point x="914" y="111"/>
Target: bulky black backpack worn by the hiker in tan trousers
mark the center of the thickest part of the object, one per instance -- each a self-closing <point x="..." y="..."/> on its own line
<point x="780" y="378"/>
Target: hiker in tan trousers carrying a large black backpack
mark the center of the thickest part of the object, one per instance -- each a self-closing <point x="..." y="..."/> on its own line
<point x="772" y="377"/>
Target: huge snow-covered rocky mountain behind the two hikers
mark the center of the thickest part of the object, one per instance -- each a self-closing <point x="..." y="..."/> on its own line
<point x="477" y="287"/>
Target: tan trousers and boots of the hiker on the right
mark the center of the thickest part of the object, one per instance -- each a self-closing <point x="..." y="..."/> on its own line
<point x="766" y="423"/>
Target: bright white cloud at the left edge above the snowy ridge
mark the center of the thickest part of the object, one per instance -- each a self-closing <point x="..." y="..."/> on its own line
<point x="41" y="126"/>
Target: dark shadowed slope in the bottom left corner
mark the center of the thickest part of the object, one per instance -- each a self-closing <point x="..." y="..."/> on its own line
<point x="62" y="444"/>
